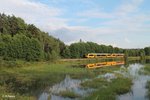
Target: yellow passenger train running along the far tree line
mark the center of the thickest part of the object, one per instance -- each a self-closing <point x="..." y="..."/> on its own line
<point x="104" y="55"/>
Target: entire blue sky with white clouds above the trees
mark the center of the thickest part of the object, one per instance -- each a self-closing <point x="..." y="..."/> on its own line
<point x="120" y="23"/>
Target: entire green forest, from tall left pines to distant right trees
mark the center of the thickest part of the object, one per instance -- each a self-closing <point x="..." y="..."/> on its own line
<point x="19" y="40"/>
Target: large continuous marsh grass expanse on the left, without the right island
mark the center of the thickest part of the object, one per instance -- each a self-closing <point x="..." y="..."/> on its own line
<point x="31" y="77"/>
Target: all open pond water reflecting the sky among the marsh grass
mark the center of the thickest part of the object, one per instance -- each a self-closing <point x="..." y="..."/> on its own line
<point x="138" y="89"/>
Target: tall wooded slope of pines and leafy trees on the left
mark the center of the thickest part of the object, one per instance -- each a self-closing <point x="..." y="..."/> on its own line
<point x="19" y="40"/>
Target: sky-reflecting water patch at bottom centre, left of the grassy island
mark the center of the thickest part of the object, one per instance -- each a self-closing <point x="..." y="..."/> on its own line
<point x="67" y="85"/>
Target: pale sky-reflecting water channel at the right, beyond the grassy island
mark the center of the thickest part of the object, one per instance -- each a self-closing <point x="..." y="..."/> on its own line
<point x="138" y="91"/>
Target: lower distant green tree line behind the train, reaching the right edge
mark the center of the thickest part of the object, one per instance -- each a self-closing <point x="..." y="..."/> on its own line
<point x="79" y="49"/>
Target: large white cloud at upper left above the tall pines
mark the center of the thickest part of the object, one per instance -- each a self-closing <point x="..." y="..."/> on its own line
<point x="36" y="13"/>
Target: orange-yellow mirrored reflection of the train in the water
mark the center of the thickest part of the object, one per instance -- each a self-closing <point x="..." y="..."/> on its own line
<point x="105" y="64"/>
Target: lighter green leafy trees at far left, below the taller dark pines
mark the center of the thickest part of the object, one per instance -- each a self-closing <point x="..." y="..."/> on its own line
<point x="20" y="47"/>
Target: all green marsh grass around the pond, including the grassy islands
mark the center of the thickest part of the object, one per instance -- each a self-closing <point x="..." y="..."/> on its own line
<point x="26" y="79"/>
